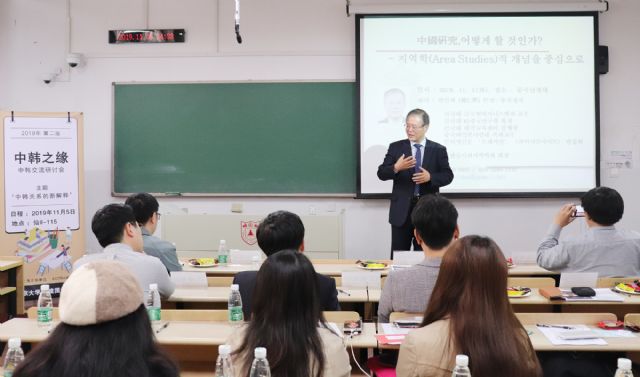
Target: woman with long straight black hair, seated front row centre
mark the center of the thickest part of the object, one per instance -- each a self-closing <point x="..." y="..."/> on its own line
<point x="287" y="320"/>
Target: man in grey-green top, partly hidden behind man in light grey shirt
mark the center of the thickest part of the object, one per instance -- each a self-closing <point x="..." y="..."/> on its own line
<point x="145" y="208"/>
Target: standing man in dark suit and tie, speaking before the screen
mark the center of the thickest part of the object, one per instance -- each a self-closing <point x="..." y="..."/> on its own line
<point x="418" y="167"/>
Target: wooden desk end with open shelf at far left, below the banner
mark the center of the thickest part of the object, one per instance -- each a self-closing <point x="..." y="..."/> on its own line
<point x="11" y="287"/>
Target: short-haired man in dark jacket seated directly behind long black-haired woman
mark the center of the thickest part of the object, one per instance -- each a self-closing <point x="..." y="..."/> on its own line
<point x="279" y="231"/>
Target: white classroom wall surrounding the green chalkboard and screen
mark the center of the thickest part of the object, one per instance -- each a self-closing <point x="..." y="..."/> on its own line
<point x="283" y="40"/>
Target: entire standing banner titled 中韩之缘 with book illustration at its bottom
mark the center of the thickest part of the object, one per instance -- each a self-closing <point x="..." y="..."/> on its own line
<point x="43" y="195"/>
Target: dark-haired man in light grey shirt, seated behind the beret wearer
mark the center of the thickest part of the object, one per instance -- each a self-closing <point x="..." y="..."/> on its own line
<point x="117" y="230"/>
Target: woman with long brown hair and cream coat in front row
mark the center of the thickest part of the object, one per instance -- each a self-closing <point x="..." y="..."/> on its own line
<point x="469" y="313"/>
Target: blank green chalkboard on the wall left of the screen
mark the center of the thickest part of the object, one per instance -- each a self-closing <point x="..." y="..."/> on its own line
<point x="235" y="138"/>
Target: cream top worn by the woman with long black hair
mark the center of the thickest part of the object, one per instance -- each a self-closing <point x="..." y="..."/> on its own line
<point x="336" y="357"/>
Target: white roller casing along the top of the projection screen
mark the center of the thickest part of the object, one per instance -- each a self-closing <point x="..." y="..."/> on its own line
<point x="379" y="7"/>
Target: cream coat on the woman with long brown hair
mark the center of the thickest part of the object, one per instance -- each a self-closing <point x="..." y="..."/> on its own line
<point x="425" y="352"/>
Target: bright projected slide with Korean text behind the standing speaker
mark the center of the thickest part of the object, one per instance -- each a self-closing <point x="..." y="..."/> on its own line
<point x="513" y="98"/>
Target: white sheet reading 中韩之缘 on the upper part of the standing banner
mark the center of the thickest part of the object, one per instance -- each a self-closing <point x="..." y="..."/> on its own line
<point x="41" y="174"/>
